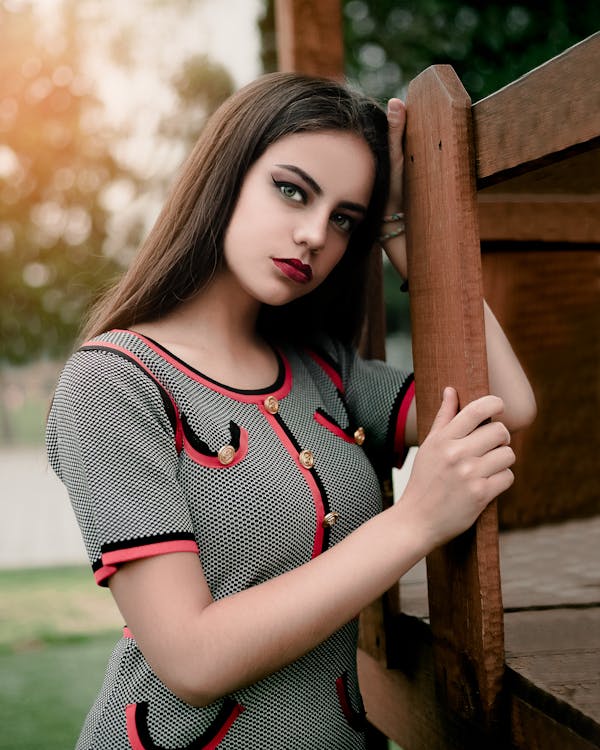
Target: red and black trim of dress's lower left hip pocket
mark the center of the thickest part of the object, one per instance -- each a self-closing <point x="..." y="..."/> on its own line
<point x="139" y="734"/>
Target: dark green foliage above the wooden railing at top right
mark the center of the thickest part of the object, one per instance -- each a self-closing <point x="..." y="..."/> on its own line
<point x="488" y="43"/>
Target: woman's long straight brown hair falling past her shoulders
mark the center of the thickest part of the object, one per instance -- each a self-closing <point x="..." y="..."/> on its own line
<point x="184" y="249"/>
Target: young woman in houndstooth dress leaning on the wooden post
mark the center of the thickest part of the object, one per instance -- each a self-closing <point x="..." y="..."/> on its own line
<point x="218" y="434"/>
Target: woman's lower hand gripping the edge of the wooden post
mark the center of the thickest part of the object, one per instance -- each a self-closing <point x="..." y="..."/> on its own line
<point x="461" y="466"/>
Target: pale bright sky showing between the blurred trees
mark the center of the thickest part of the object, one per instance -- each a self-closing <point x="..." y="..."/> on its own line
<point x="153" y="39"/>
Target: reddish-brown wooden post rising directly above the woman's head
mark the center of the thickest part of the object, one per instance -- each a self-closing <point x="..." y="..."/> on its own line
<point x="309" y="37"/>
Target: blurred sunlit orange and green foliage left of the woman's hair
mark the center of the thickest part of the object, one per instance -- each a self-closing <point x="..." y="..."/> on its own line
<point x="75" y="197"/>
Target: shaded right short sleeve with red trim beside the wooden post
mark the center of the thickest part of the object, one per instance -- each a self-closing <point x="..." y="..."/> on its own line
<point x="378" y="398"/>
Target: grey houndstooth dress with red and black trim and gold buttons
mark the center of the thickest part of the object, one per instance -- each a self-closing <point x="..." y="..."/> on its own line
<point x="159" y="458"/>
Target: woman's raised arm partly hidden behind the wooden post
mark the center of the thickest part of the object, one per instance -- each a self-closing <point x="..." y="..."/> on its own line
<point x="506" y="376"/>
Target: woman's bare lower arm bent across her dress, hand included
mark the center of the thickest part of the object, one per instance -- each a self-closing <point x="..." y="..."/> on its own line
<point x="204" y="649"/>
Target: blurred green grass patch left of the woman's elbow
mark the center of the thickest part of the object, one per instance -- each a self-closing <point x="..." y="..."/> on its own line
<point x="57" y="629"/>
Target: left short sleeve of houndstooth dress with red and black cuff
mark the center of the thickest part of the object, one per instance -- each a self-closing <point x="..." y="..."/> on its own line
<point x="111" y="442"/>
